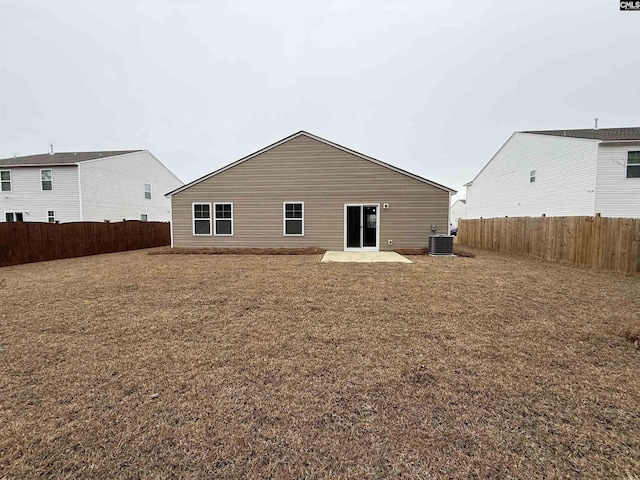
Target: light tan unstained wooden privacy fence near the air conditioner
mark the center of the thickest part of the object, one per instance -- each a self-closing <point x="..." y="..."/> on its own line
<point x="607" y="243"/>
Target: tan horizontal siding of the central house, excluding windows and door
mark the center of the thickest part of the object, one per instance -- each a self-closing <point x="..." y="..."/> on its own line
<point x="325" y="178"/>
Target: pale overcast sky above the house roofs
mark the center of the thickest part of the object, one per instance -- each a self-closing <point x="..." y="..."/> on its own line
<point x="432" y="87"/>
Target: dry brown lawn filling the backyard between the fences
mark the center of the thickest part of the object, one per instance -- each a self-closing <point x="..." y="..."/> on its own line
<point x="132" y="365"/>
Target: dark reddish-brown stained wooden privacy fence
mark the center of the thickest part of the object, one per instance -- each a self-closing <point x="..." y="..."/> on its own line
<point x="35" y="242"/>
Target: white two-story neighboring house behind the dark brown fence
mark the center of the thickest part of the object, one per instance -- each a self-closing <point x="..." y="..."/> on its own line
<point x="85" y="186"/>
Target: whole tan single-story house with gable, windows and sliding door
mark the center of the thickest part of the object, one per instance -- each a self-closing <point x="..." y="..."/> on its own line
<point x="305" y="191"/>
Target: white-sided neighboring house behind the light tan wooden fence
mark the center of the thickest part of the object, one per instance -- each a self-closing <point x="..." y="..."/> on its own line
<point x="561" y="173"/>
